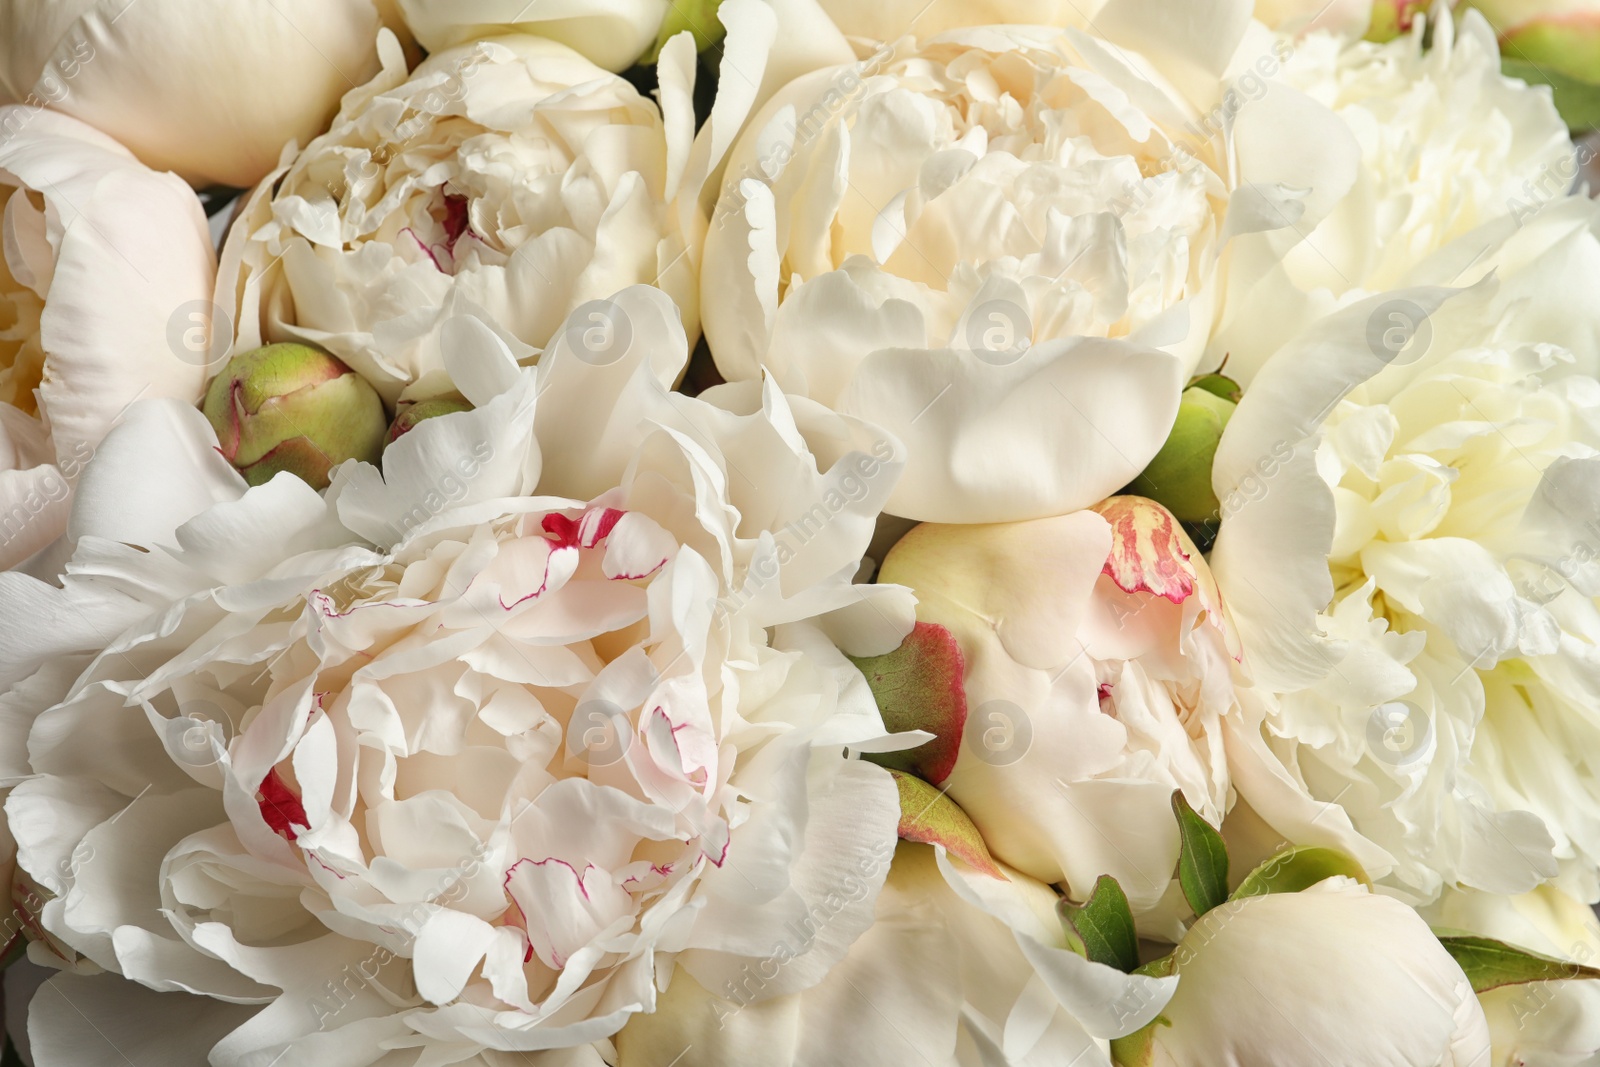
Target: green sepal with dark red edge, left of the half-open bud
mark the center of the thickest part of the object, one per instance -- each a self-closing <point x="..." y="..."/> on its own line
<point x="921" y="685"/>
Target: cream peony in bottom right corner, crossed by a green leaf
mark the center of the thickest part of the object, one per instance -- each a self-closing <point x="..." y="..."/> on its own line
<point x="1540" y="1025"/>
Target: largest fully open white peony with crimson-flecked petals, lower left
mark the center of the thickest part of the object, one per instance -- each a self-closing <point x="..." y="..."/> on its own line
<point x="433" y="764"/>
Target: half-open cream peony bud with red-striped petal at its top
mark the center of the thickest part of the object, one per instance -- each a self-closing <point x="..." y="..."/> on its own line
<point x="1098" y="673"/>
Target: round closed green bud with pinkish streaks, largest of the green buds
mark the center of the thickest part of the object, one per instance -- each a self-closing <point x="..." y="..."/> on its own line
<point x="289" y="407"/>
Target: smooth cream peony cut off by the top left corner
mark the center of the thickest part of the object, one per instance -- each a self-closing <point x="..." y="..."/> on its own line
<point x="207" y="90"/>
